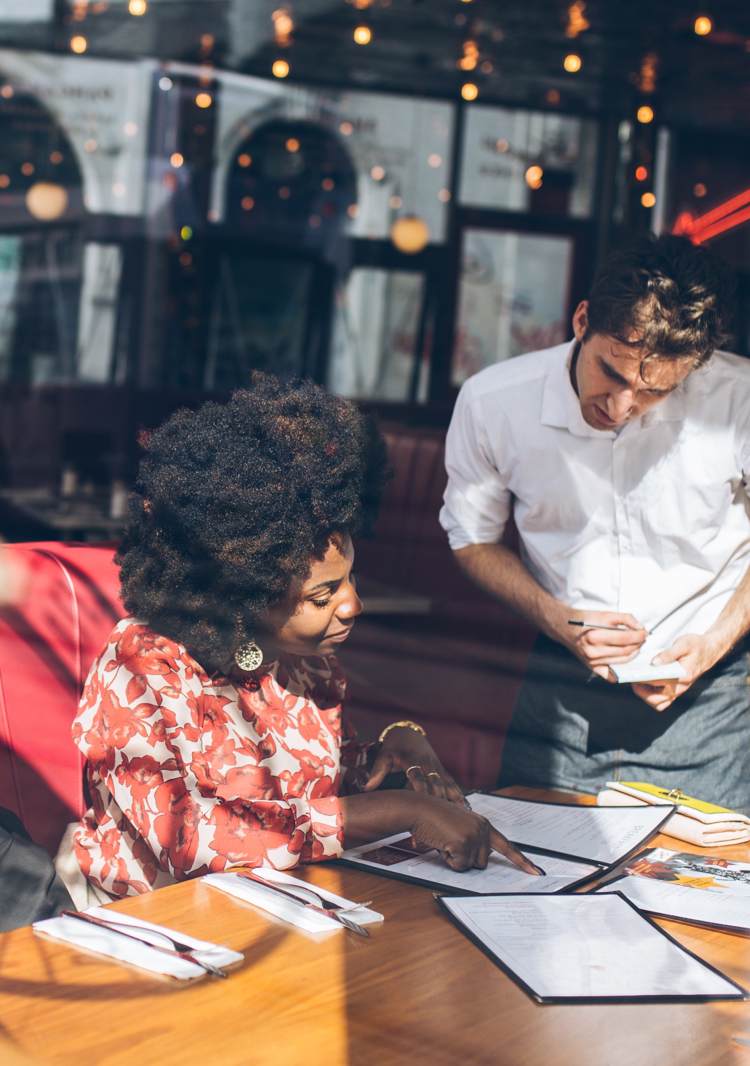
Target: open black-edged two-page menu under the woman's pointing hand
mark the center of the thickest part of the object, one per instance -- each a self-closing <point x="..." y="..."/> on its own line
<point x="572" y="844"/>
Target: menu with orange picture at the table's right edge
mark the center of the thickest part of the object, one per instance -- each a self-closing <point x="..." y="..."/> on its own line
<point x="700" y="890"/>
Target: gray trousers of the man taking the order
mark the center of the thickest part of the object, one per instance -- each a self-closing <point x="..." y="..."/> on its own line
<point x="573" y="731"/>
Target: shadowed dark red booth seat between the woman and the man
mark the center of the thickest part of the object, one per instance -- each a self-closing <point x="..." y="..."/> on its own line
<point x="456" y="668"/>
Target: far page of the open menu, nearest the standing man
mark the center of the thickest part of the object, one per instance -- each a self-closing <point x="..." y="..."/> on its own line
<point x="604" y="835"/>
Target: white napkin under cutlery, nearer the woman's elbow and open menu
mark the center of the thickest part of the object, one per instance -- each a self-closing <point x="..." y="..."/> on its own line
<point x="304" y="918"/>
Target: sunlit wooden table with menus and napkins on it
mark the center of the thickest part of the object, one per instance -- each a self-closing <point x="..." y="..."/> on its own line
<point x="417" y="992"/>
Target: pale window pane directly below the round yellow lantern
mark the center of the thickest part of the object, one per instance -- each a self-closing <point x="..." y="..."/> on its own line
<point x="376" y="351"/>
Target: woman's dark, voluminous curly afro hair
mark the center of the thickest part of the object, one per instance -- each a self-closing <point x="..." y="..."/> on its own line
<point x="235" y="500"/>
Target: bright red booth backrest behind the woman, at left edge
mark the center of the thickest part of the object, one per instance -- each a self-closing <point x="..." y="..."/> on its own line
<point x="46" y="648"/>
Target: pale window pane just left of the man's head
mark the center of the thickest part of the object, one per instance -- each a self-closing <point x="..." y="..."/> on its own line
<point x="514" y="298"/>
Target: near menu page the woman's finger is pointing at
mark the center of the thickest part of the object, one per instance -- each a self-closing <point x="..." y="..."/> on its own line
<point x="501" y="876"/>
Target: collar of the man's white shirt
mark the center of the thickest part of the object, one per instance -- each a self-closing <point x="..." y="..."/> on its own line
<point x="561" y="407"/>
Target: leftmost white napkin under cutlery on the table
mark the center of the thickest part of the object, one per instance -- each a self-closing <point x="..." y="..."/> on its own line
<point x="105" y="943"/>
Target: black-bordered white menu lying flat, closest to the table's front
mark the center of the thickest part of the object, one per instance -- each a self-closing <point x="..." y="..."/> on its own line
<point x="574" y="948"/>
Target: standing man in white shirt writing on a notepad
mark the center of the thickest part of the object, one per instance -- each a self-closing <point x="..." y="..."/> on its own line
<point x="624" y="458"/>
